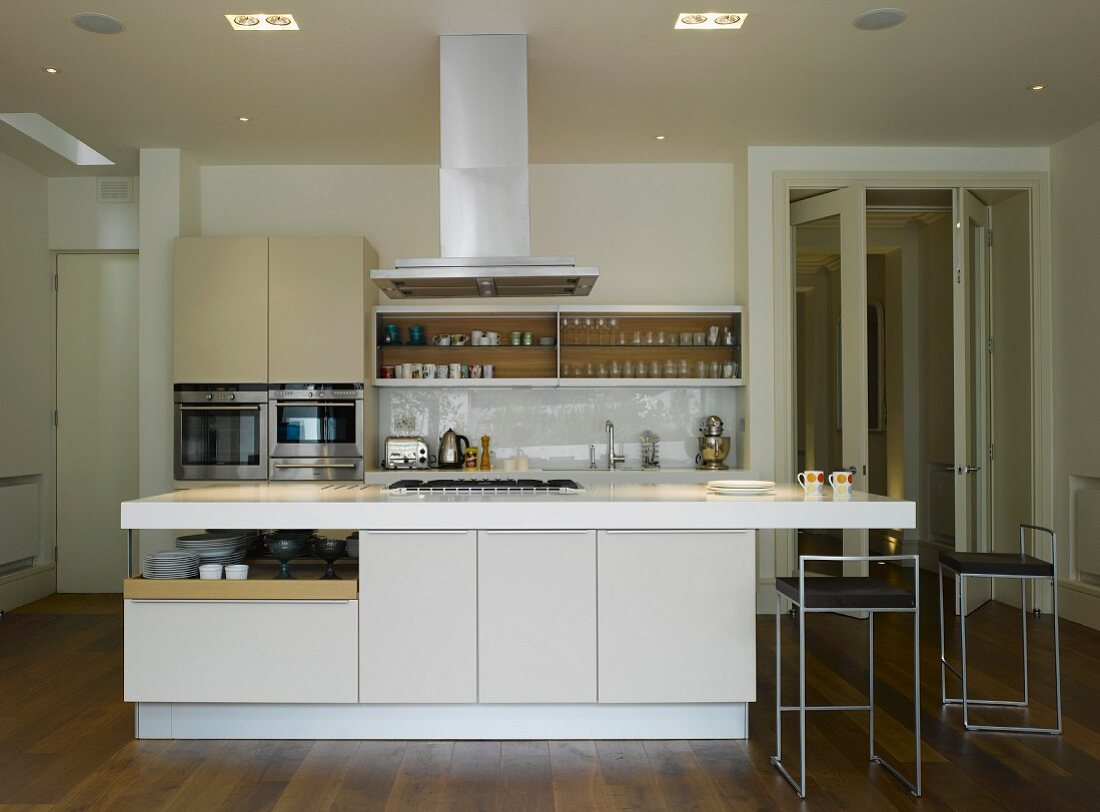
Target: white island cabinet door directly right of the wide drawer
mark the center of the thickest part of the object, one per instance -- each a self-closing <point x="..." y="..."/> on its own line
<point x="419" y="617"/>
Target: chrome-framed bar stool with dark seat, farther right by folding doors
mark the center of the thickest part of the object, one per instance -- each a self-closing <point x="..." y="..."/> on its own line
<point x="1024" y="568"/>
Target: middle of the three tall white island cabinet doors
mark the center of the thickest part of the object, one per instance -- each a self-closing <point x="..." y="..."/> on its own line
<point x="537" y="617"/>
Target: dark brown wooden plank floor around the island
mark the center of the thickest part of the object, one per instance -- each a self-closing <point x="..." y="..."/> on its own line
<point x="67" y="738"/>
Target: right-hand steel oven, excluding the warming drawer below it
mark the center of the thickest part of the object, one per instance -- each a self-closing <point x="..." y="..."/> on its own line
<point x="316" y="421"/>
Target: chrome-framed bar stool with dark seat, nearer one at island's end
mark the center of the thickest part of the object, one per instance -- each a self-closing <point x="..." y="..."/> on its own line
<point x="777" y="761"/>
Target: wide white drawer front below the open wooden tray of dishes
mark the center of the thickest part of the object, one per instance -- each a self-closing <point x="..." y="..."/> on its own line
<point x="284" y="652"/>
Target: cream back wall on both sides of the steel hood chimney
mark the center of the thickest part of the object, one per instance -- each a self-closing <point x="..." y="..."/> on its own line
<point x="658" y="233"/>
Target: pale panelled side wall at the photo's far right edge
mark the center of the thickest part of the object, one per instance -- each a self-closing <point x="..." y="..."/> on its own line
<point x="1075" y="180"/>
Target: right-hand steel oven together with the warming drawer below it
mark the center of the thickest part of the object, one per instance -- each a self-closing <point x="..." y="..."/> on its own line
<point x="316" y="432"/>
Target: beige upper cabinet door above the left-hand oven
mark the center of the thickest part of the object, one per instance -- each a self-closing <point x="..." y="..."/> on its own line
<point x="219" y="289"/>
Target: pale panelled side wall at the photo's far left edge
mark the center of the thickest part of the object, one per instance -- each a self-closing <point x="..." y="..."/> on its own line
<point x="27" y="365"/>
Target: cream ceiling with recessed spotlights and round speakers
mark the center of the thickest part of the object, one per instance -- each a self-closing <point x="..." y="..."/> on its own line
<point x="359" y="83"/>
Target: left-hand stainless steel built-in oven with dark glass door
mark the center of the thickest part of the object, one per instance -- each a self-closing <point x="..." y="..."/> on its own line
<point x="221" y="432"/>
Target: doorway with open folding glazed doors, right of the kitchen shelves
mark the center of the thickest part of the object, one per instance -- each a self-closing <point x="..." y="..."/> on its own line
<point x="900" y="337"/>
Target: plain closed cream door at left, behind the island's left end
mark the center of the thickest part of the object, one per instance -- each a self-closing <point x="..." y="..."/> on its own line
<point x="97" y="416"/>
